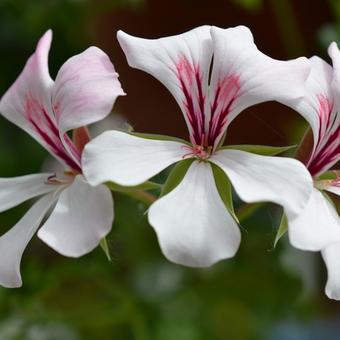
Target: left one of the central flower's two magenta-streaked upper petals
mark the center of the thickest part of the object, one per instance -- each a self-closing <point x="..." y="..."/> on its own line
<point x="182" y="64"/>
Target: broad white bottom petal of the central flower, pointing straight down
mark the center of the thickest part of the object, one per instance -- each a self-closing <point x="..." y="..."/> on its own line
<point x="192" y="224"/>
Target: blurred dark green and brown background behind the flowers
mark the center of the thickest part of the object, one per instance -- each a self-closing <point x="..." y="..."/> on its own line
<point x="262" y="293"/>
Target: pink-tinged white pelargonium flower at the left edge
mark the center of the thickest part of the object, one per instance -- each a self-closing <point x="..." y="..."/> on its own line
<point x="84" y="91"/>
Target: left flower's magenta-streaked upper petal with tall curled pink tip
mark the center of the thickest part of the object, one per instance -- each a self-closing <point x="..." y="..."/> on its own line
<point x="28" y="103"/>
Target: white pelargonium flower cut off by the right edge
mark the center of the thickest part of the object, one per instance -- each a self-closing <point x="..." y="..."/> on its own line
<point x="318" y="227"/>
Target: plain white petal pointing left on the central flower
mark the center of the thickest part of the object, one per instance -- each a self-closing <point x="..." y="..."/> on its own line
<point x="128" y="160"/>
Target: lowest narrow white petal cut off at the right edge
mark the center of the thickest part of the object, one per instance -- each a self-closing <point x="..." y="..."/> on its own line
<point x="331" y="256"/>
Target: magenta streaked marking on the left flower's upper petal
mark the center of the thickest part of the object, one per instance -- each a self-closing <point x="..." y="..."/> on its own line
<point x="46" y="128"/>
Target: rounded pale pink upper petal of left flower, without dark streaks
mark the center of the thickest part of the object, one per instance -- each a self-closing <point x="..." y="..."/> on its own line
<point x="85" y="89"/>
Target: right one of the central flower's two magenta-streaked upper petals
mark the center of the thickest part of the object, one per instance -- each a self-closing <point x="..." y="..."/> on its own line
<point x="243" y="76"/>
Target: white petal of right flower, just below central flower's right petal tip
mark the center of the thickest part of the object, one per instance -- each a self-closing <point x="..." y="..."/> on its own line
<point x="317" y="226"/>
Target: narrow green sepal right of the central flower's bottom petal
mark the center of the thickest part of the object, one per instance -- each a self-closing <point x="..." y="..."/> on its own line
<point x="224" y="189"/>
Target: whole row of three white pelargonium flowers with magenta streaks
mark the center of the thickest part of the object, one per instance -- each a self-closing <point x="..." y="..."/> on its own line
<point x="214" y="74"/>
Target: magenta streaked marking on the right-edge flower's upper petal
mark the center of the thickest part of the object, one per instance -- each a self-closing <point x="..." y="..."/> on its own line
<point x="327" y="145"/>
